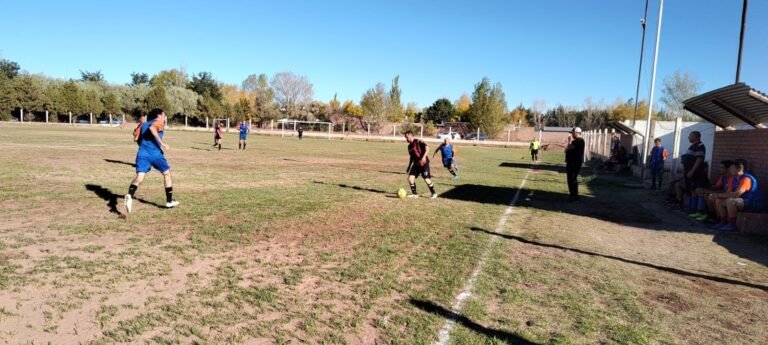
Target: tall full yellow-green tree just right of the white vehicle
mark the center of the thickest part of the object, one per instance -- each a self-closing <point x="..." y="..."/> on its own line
<point x="488" y="109"/>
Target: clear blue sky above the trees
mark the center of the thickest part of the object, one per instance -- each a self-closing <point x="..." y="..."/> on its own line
<point x="560" y="51"/>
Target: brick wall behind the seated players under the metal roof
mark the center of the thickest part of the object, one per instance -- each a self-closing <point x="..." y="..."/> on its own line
<point x="751" y="145"/>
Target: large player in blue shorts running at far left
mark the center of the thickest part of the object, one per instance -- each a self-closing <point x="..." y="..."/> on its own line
<point x="151" y="155"/>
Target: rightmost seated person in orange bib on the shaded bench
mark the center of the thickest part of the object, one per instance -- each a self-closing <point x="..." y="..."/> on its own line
<point x="746" y="196"/>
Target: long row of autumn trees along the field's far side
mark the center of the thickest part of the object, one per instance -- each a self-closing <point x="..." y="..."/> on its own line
<point x="262" y="98"/>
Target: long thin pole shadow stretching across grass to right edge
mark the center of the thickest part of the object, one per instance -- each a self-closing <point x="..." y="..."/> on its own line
<point x="628" y="261"/>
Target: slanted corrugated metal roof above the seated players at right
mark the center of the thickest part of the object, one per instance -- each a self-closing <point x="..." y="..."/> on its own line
<point x="730" y="106"/>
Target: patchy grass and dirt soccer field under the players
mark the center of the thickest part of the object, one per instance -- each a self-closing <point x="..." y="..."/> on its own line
<point x="305" y="241"/>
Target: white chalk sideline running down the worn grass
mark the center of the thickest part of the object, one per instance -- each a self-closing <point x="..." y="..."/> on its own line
<point x="445" y="332"/>
